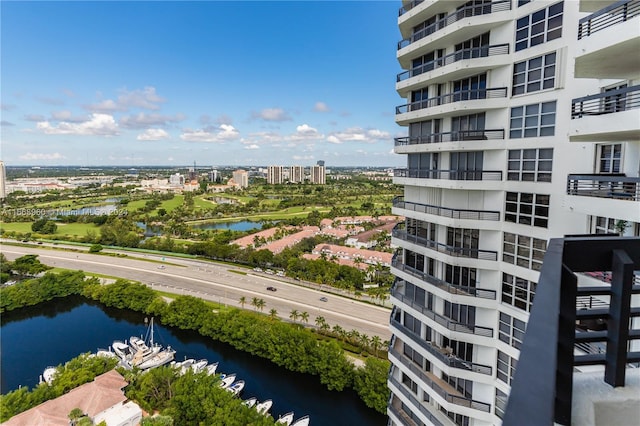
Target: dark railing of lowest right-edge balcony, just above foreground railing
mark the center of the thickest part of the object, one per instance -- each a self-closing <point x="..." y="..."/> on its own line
<point x="604" y="186"/>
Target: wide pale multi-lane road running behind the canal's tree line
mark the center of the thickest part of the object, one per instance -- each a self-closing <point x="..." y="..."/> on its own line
<point x="218" y="282"/>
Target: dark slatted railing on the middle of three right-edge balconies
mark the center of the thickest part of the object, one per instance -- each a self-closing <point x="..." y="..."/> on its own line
<point x="609" y="102"/>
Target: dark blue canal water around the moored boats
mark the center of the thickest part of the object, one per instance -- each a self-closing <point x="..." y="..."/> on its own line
<point x="54" y="332"/>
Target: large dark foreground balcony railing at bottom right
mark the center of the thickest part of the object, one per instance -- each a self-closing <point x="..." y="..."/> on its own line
<point x="541" y="392"/>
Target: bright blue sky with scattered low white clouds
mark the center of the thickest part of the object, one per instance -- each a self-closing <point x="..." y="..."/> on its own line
<point x="219" y="83"/>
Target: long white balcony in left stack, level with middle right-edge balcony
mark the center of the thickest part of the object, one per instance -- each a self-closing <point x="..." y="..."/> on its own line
<point x="471" y="101"/>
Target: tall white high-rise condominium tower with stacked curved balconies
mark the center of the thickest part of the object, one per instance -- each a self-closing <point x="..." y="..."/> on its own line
<point x="505" y="149"/>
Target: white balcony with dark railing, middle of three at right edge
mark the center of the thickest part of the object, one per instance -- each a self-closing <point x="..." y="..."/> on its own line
<point x="592" y="120"/>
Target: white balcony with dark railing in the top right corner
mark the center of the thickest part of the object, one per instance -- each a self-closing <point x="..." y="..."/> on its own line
<point x="608" y="42"/>
